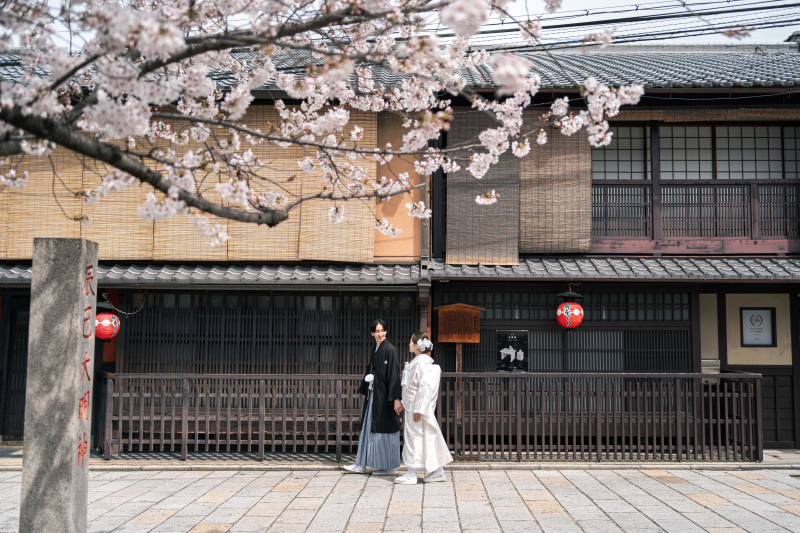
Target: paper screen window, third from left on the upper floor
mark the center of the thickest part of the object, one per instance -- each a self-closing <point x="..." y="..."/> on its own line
<point x="749" y="152"/>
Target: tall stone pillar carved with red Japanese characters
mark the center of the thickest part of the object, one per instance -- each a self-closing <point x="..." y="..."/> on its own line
<point x="55" y="470"/>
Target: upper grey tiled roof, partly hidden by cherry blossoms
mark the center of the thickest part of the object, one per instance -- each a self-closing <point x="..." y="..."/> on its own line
<point x="664" y="66"/>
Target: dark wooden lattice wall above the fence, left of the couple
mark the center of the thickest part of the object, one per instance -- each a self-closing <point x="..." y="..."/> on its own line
<point x="262" y="333"/>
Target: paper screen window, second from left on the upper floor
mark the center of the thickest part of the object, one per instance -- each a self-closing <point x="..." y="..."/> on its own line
<point x="686" y="153"/>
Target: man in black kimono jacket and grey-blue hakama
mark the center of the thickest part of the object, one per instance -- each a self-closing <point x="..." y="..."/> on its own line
<point x="379" y="442"/>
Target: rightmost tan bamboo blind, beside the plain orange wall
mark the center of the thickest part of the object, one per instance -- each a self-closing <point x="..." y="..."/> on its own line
<point x="353" y="239"/>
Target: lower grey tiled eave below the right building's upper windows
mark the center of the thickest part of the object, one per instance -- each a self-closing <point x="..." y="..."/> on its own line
<point x="621" y="268"/>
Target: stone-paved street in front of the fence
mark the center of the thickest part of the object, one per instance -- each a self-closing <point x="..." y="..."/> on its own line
<point x="562" y="501"/>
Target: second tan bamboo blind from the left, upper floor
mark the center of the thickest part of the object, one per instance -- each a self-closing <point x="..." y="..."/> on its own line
<point x="114" y="222"/>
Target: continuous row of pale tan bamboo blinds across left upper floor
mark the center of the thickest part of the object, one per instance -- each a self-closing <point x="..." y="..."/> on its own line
<point x="116" y="226"/>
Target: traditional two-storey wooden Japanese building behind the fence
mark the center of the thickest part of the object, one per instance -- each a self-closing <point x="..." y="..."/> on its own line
<point x="682" y="236"/>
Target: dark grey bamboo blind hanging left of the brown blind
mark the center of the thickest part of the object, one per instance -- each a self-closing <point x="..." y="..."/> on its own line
<point x="481" y="234"/>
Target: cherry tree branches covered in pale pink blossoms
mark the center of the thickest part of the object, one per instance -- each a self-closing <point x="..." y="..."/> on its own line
<point x="161" y="94"/>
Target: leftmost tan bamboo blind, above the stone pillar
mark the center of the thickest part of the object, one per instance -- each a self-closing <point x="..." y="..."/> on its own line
<point x="34" y="211"/>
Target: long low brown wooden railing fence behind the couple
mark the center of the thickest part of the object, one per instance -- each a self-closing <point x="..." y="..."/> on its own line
<point x="673" y="417"/>
